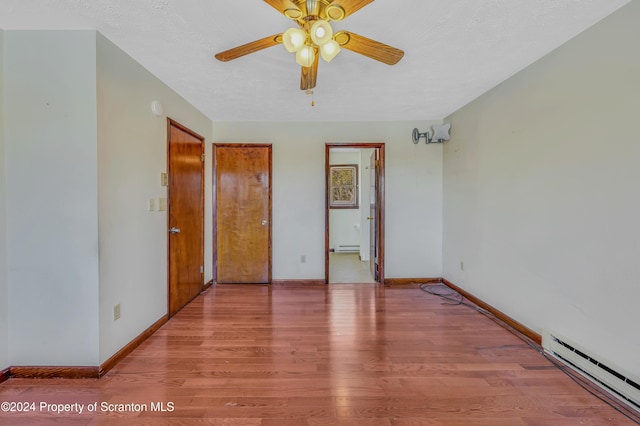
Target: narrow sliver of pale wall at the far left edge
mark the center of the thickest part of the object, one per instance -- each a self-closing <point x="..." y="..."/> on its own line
<point x="4" y="281"/>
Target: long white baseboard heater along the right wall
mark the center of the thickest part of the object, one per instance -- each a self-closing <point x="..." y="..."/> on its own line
<point x="596" y="370"/>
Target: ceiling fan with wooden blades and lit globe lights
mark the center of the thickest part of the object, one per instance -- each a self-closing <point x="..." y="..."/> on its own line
<point x="314" y="36"/>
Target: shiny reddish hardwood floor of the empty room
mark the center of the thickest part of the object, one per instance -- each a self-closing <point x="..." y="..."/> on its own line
<point x="328" y="355"/>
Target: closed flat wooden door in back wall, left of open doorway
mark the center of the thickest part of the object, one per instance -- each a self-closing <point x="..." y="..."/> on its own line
<point x="242" y="223"/>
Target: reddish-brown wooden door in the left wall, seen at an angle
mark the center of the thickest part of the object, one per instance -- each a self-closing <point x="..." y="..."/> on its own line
<point x="185" y="215"/>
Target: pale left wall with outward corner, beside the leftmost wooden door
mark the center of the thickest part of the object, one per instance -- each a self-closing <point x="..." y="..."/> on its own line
<point x="83" y="156"/>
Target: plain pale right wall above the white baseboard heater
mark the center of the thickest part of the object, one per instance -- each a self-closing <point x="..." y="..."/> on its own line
<point x="541" y="193"/>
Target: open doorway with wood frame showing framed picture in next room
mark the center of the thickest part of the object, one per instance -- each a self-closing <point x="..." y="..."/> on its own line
<point x="354" y="237"/>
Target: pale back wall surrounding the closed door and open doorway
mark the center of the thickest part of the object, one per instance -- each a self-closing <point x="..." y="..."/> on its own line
<point x="413" y="193"/>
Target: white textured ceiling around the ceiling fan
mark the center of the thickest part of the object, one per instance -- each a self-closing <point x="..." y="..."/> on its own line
<point x="455" y="50"/>
